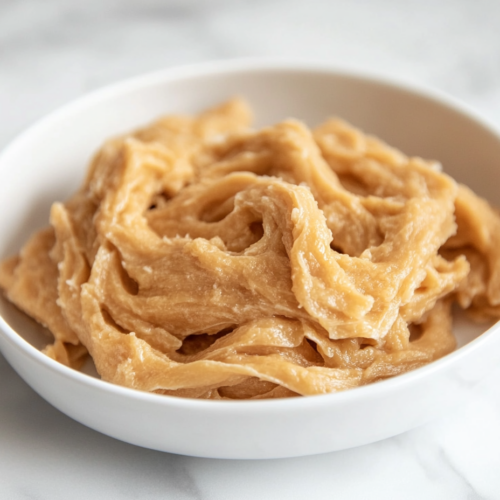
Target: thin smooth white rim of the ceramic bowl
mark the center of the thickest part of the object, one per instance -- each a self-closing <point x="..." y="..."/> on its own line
<point x="234" y="66"/>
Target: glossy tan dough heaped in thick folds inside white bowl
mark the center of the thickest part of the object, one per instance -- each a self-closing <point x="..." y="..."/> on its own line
<point x="201" y="258"/>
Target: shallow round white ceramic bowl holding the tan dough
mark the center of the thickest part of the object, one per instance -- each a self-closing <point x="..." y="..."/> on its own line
<point x="47" y="163"/>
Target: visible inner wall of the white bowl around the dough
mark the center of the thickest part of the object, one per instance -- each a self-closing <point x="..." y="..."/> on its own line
<point x="47" y="163"/>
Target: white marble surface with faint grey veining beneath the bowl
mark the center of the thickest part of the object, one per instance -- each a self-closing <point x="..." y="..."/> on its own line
<point x="52" y="51"/>
